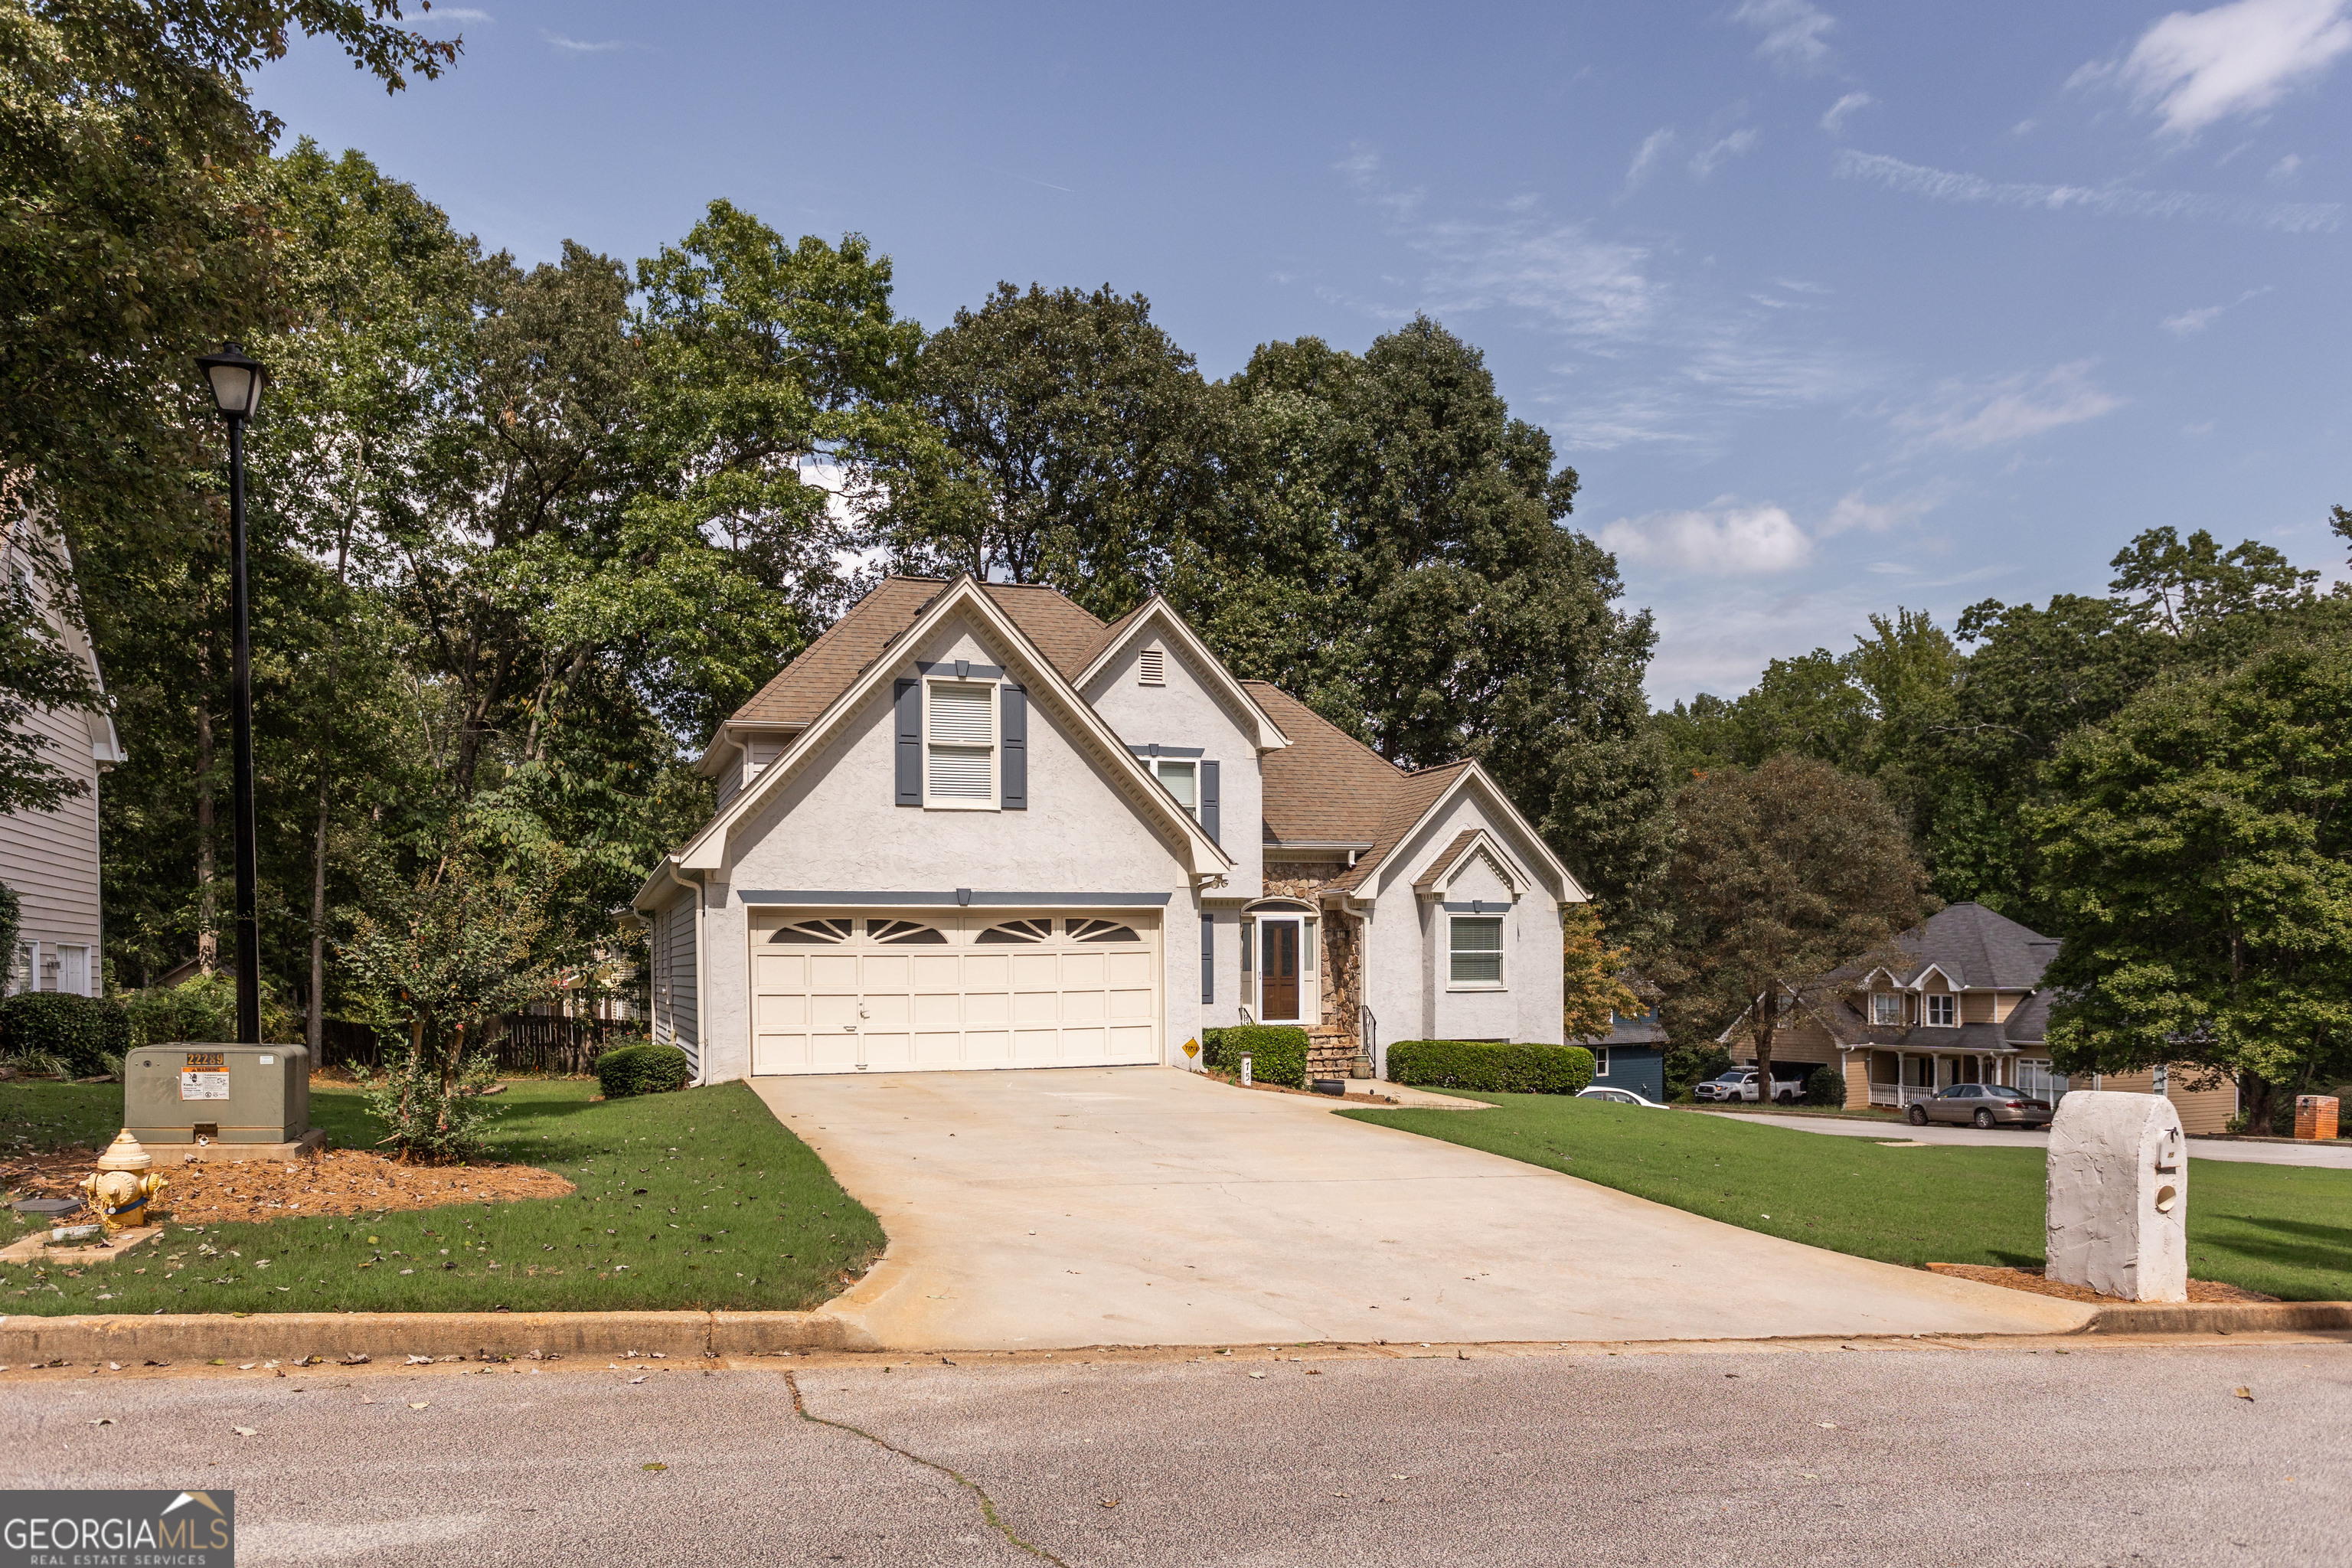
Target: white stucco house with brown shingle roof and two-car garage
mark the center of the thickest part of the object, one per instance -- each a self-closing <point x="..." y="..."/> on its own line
<point x="973" y="826"/>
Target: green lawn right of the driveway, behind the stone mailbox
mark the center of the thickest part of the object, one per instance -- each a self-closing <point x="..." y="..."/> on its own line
<point x="2283" y="1231"/>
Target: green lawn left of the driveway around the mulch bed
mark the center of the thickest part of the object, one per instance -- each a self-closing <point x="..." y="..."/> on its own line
<point x="686" y="1200"/>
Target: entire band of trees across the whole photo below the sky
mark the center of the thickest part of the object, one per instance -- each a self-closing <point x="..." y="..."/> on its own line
<point x="523" y="535"/>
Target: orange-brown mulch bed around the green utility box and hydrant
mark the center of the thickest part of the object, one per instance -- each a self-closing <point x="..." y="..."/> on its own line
<point x="338" y="1181"/>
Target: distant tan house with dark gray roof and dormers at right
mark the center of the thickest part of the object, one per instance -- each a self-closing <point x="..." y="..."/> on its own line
<point x="1963" y="1005"/>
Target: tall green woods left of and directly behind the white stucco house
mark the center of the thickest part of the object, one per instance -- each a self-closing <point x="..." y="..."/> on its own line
<point x="523" y="535"/>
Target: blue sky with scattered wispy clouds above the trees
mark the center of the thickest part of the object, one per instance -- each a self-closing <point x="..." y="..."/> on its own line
<point x="1833" y="307"/>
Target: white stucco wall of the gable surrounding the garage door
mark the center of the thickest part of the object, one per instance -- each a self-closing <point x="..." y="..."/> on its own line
<point x="836" y="826"/>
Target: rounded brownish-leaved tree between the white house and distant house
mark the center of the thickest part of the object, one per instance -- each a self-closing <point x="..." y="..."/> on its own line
<point x="1784" y="873"/>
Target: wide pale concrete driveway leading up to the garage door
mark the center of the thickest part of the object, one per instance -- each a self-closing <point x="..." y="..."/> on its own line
<point x="1158" y="1207"/>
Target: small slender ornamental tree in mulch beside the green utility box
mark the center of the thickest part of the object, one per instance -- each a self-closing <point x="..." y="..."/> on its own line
<point x="439" y="963"/>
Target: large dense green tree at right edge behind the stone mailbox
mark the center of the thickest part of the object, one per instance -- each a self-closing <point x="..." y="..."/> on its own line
<point x="2200" y="857"/>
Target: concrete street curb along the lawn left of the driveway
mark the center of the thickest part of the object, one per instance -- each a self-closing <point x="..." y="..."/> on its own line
<point x="333" y="1336"/>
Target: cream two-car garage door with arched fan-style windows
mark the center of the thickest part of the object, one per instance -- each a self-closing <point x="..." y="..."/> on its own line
<point x="895" y="993"/>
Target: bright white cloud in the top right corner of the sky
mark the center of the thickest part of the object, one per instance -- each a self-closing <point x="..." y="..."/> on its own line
<point x="2233" y="60"/>
